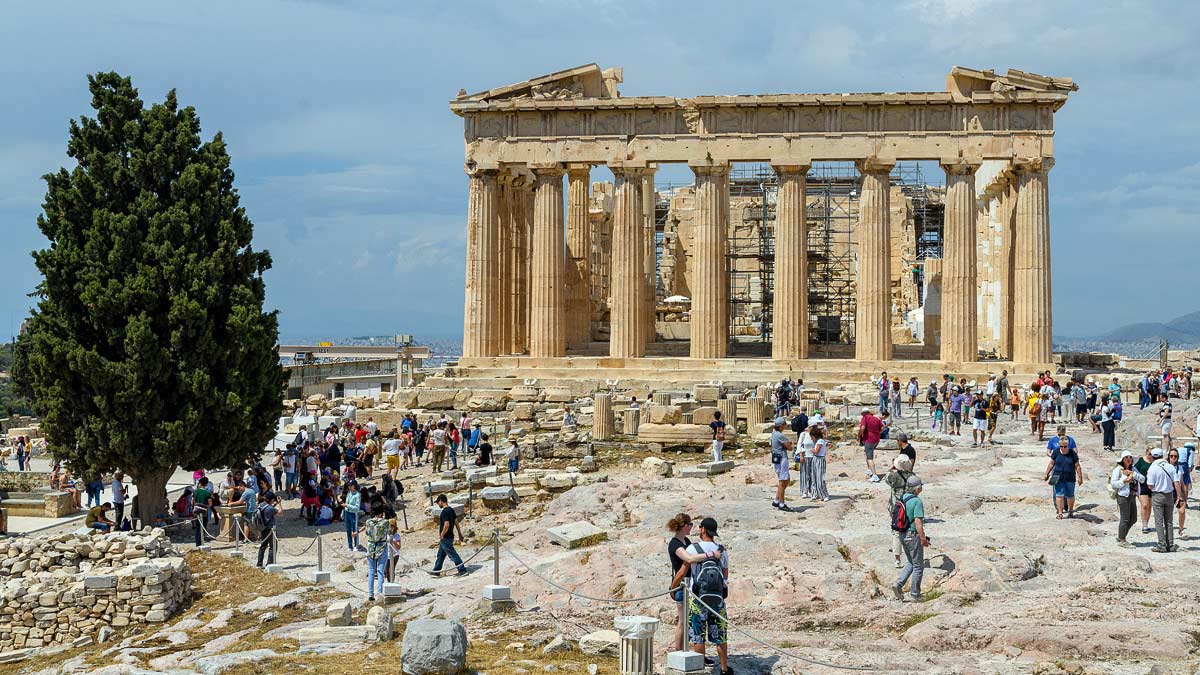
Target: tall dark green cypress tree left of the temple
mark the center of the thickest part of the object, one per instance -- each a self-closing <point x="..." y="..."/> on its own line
<point x="149" y="348"/>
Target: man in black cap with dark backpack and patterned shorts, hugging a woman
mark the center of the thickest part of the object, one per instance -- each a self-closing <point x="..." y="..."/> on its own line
<point x="710" y="572"/>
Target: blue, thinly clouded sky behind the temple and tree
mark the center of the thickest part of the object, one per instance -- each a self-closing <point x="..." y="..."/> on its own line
<point x="350" y="162"/>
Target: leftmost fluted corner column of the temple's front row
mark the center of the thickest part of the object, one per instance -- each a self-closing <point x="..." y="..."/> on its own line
<point x="482" y="304"/>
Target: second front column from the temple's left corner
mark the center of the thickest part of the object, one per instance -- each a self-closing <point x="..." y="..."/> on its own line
<point x="548" y="328"/>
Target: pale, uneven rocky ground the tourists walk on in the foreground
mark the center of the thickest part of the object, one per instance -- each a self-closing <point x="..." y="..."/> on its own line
<point x="1010" y="589"/>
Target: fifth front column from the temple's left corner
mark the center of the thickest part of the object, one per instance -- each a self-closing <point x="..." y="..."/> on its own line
<point x="790" y="331"/>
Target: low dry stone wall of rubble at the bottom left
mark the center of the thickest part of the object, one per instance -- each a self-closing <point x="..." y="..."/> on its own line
<point x="61" y="590"/>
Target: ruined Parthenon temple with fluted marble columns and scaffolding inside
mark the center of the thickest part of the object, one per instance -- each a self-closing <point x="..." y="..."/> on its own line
<point x="808" y="244"/>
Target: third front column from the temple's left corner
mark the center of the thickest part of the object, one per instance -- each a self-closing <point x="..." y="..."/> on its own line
<point x="627" y="270"/>
